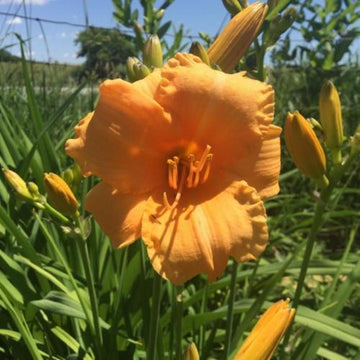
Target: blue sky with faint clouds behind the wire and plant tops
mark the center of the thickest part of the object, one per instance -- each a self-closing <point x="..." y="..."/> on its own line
<point x="196" y="15"/>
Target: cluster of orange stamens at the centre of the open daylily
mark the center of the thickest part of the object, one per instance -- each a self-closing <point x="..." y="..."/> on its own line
<point x="187" y="171"/>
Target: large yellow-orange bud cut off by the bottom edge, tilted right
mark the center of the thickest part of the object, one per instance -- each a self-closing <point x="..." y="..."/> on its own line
<point x="267" y="333"/>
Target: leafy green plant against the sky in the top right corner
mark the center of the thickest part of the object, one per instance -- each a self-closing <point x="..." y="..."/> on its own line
<point x="328" y="28"/>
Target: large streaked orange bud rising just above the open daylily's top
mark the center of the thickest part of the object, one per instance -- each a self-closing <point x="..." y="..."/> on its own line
<point x="235" y="39"/>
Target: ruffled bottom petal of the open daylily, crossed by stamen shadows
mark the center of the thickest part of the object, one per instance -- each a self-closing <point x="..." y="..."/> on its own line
<point x="201" y="234"/>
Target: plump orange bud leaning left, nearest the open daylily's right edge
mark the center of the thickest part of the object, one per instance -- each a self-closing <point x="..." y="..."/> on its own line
<point x="304" y="148"/>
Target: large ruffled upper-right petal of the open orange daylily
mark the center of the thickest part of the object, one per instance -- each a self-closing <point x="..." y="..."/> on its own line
<point x="231" y="113"/>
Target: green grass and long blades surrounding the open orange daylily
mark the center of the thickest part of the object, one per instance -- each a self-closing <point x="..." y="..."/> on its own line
<point x="46" y="290"/>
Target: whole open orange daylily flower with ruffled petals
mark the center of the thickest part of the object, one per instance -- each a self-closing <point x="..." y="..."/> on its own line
<point x="186" y="156"/>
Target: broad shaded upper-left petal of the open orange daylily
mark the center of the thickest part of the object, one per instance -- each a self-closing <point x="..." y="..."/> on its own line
<point x="123" y="141"/>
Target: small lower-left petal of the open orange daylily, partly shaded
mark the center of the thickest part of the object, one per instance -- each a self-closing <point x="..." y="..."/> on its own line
<point x="118" y="215"/>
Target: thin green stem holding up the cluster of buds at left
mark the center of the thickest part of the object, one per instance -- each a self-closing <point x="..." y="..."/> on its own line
<point x="91" y="287"/>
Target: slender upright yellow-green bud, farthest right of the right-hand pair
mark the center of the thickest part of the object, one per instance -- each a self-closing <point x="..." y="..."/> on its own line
<point x="331" y="119"/>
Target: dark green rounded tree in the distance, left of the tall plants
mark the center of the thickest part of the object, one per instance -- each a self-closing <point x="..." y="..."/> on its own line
<point x="105" y="52"/>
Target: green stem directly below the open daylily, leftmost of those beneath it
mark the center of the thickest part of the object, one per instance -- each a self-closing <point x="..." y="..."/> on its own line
<point x="154" y="318"/>
